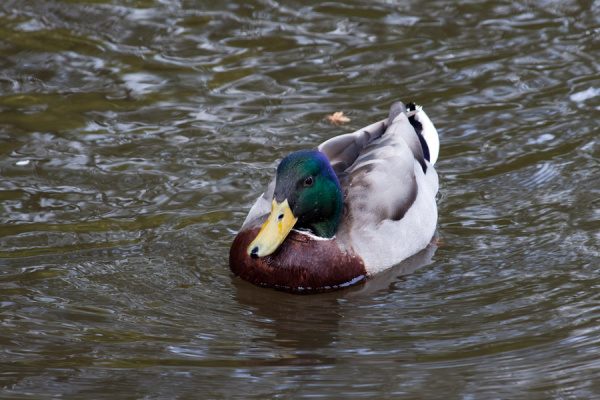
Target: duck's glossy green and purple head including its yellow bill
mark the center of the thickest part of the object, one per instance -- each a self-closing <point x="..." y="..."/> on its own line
<point x="307" y="196"/>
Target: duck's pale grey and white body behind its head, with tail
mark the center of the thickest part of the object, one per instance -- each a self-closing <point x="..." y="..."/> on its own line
<point x="389" y="187"/>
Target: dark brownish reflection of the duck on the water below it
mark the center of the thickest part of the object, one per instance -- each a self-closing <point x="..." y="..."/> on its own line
<point x="302" y="325"/>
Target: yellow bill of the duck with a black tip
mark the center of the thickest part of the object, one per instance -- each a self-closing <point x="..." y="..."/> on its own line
<point x="274" y="231"/>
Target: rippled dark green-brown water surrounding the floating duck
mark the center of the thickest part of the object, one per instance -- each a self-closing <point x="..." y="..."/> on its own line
<point x="135" y="135"/>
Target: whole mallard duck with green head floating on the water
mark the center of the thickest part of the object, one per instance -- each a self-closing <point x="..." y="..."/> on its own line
<point x="357" y="204"/>
